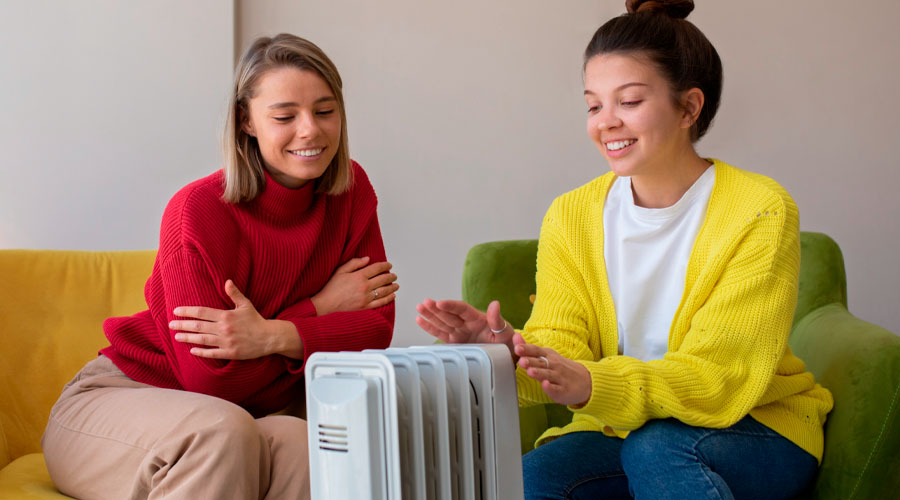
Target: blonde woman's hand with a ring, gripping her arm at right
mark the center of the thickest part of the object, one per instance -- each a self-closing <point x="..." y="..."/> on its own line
<point x="356" y="286"/>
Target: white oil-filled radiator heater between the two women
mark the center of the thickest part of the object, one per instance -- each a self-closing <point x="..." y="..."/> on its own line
<point x="433" y="422"/>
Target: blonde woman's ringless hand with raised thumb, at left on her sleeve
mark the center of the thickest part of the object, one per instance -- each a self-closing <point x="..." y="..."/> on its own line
<point x="239" y="333"/>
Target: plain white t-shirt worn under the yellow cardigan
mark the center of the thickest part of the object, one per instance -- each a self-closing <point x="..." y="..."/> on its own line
<point x="647" y="252"/>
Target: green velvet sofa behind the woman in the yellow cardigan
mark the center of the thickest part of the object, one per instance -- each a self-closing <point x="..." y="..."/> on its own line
<point x="858" y="361"/>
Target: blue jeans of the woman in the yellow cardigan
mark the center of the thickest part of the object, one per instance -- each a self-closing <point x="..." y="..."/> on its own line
<point x="667" y="459"/>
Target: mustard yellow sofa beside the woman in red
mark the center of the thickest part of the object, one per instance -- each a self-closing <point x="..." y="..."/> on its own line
<point x="52" y="304"/>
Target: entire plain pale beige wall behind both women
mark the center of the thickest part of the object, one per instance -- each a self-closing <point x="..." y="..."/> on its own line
<point x="466" y="114"/>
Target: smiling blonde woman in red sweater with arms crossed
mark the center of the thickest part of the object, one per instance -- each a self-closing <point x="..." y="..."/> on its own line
<point x="259" y="266"/>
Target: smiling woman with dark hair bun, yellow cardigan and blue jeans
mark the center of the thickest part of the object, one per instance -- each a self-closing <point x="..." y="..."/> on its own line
<point x="665" y="295"/>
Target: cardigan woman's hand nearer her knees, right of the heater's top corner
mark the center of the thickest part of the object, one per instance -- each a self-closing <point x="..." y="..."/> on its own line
<point x="563" y="380"/>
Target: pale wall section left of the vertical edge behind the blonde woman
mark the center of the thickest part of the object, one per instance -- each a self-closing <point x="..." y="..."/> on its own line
<point x="107" y="107"/>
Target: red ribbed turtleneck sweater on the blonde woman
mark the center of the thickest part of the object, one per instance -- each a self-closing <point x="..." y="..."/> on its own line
<point x="279" y="249"/>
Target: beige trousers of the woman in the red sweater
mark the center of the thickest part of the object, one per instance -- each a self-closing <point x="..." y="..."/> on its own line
<point x="111" y="437"/>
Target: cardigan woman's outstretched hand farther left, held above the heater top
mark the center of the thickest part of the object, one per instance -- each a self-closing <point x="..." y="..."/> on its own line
<point x="456" y="322"/>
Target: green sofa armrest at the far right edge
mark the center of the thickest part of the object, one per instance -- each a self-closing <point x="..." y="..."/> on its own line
<point x="860" y="364"/>
